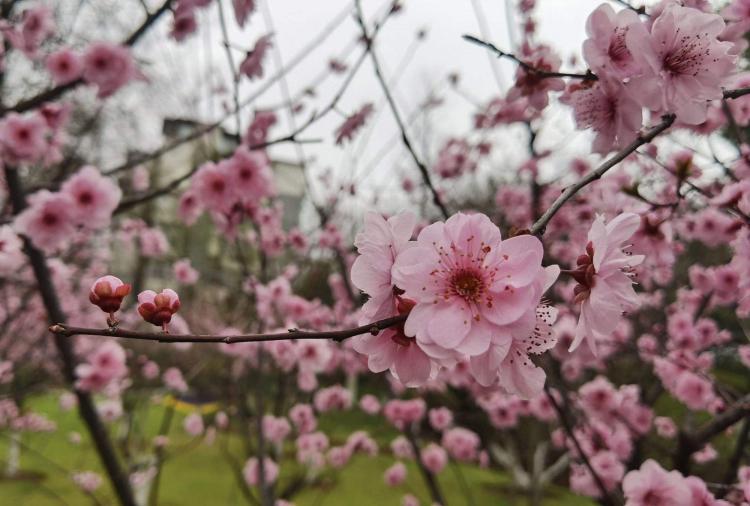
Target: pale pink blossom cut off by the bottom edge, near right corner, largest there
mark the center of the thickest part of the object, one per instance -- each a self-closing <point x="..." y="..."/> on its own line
<point x="651" y="485"/>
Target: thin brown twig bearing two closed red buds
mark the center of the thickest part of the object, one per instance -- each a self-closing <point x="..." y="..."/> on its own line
<point x="64" y="330"/>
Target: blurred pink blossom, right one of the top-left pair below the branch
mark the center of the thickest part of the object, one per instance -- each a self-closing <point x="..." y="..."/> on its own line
<point x="108" y="66"/>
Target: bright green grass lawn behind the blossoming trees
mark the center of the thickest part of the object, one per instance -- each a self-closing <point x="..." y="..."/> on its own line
<point x="199" y="474"/>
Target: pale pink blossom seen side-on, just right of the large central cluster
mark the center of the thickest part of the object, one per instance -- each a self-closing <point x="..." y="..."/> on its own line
<point x="605" y="287"/>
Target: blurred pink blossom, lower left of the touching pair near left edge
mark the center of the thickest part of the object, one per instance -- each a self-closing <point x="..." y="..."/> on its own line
<point x="48" y="221"/>
